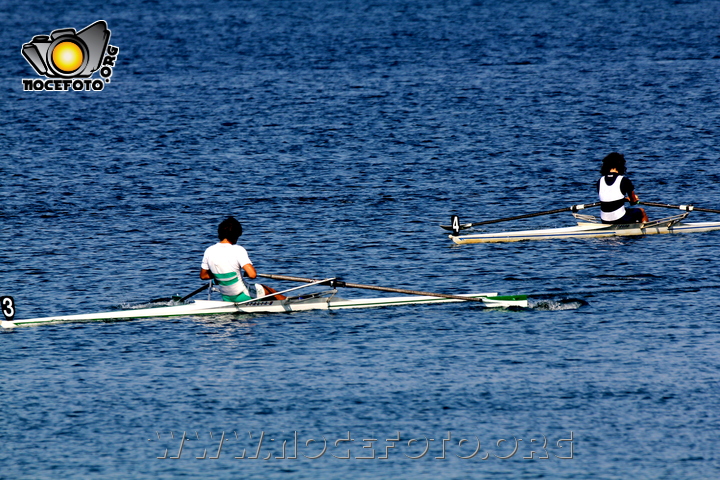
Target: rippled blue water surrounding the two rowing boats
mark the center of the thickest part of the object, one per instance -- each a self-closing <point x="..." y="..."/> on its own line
<point x="342" y="134"/>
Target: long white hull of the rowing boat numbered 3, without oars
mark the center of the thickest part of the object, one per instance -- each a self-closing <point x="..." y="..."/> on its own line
<point x="214" y="307"/>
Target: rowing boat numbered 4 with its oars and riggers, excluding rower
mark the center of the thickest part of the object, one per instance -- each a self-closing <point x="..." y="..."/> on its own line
<point x="589" y="226"/>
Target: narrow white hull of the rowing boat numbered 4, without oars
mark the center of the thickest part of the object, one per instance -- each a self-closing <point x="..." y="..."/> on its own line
<point x="585" y="230"/>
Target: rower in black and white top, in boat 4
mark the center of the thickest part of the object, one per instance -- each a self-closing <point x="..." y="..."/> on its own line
<point x="614" y="189"/>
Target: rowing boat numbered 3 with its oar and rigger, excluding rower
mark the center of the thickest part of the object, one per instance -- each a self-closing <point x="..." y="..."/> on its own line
<point x="324" y="300"/>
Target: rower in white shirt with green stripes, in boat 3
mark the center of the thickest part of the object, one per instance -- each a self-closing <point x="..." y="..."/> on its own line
<point x="228" y="264"/>
